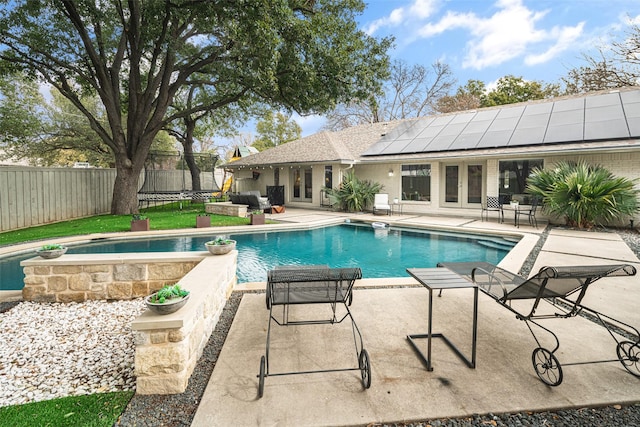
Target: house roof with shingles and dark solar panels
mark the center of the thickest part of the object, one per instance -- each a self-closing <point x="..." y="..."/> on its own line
<point x="594" y="121"/>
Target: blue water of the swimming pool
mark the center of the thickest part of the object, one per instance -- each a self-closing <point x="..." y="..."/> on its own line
<point x="379" y="252"/>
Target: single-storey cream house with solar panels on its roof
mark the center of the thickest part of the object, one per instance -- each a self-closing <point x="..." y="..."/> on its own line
<point x="448" y="164"/>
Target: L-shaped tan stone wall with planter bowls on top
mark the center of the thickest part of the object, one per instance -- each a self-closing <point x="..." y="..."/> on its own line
<point x="167" y="347"/>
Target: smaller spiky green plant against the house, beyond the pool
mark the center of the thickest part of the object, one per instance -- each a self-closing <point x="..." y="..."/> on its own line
<point x="353" y="194"/>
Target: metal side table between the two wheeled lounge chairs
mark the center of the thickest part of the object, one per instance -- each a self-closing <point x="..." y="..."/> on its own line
<point x="442" y="278"/>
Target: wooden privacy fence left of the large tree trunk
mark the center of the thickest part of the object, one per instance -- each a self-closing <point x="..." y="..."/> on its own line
<point x="32" y="196"/>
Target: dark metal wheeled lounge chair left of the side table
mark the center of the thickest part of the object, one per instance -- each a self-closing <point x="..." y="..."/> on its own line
<point x="291" y="285"/>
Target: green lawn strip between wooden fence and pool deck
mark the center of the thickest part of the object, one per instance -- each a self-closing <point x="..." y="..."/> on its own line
<point x="166" y="217"/>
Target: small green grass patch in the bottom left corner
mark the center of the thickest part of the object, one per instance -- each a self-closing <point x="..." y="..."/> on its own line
<point x="95" y="410"/>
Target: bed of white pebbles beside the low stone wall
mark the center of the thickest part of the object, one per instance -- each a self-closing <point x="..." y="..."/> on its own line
<point x="57" y="350"/>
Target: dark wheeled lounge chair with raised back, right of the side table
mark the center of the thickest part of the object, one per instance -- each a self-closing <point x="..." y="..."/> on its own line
<point x="563" y="288"/>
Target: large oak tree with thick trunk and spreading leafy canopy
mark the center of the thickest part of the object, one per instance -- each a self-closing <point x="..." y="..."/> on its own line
<point x="305" y="55"/>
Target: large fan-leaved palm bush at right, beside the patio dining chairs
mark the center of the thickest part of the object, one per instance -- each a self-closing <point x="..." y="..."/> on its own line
<point x="584" y="195"/>
